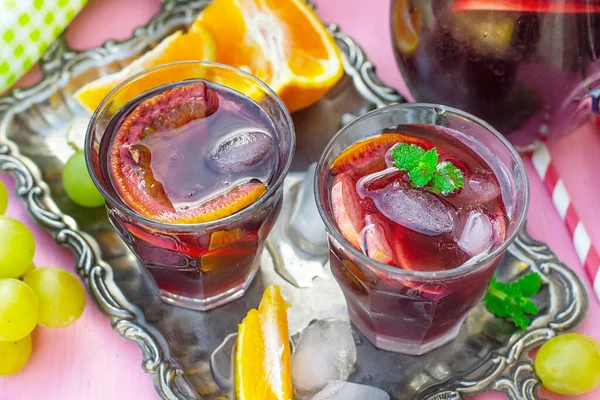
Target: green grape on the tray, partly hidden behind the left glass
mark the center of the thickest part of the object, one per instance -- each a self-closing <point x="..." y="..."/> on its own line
<point x="77" y="182"/>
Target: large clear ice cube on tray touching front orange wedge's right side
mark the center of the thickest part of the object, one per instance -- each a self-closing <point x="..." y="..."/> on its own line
<point x="324" y="352"/>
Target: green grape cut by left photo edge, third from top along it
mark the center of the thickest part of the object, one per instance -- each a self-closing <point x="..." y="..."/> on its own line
<point x="19" y="310"/>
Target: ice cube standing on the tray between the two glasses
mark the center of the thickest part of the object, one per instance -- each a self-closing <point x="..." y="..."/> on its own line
<point x="306" y="227"/>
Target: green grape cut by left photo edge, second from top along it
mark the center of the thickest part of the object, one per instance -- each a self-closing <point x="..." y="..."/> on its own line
<point x="17" y="247"/>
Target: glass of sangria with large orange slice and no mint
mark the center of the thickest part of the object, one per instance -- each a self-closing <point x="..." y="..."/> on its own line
<point x="191" y="158"/>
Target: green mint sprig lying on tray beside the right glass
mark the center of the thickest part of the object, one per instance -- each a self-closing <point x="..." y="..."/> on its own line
<point x="513" y="300"/>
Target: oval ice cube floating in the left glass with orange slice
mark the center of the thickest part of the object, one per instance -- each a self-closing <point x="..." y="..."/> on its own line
<point x="240" y="151"/>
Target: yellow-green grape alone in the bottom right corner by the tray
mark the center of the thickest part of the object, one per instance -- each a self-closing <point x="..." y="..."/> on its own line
<point x="569" y="364"/>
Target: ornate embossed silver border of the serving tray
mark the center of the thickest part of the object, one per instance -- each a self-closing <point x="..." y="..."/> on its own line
<point x="514" y="374"/>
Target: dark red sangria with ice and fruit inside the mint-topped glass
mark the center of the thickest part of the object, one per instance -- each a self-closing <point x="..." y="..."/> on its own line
<point x="381" y="215"/>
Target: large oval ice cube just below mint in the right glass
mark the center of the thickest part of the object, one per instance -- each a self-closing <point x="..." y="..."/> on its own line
<point x="415" y="209"/>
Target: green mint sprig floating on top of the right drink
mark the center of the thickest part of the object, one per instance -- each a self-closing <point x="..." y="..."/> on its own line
<point x="424" y="171"/>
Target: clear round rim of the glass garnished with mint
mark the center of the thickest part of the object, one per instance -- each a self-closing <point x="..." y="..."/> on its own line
<point x="470" y="265"/>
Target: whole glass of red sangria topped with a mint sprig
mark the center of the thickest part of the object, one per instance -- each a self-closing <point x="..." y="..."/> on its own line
<point x="420" y="203"/>
